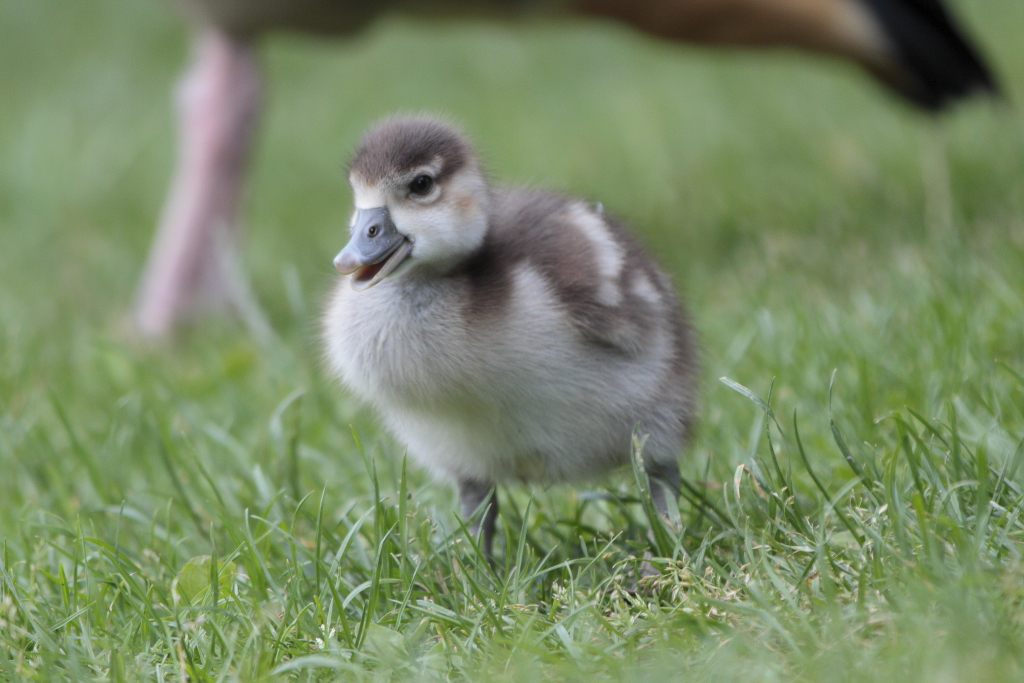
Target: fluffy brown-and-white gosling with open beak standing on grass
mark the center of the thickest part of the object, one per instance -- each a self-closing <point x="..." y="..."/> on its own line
<point x="503" y="334"/>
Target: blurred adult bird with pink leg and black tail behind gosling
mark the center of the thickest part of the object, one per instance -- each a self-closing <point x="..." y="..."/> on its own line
<point x="913" y="47"/>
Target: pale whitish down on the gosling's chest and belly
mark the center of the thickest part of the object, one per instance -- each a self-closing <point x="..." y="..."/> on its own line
<point x="518" y="395"/>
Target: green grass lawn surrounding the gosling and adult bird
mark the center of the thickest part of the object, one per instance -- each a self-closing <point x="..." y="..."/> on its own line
<point x="806" y="219"/>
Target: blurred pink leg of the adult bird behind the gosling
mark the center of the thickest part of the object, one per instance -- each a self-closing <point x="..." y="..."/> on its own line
<point x="190" y="267"/>
